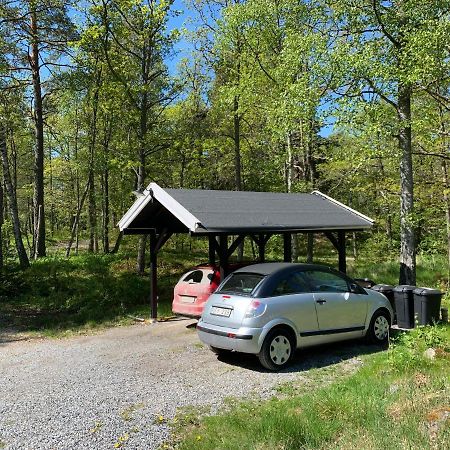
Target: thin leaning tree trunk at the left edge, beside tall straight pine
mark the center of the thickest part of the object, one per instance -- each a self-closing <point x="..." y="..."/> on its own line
<point x="12" y="201"/>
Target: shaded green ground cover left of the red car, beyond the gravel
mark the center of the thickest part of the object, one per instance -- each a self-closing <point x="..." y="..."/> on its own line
<point x="59" y="296"/>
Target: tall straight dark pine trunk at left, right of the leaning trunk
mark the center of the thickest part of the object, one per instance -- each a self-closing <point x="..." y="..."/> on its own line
<point x="38" y="198"/>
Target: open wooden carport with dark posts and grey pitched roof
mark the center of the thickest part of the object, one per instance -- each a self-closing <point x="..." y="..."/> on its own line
<point x="161" y="212"/>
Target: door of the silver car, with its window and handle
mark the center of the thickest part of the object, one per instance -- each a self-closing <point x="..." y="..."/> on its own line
<point x="337" y="308"/>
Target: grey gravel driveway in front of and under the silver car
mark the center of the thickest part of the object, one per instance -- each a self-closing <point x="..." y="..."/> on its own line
<point x="89" y="392"/>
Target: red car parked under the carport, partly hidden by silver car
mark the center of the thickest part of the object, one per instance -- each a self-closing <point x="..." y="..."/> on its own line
<point x="194" y="288"/>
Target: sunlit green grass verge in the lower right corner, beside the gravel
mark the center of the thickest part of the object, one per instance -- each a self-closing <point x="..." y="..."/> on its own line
<point x="398" y="399"/>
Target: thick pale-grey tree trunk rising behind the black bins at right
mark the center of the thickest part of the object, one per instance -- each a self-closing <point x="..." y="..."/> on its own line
<point x="407" y="233"/>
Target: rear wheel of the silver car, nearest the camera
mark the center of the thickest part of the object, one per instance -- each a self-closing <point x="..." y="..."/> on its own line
<point x="277" y="350"/>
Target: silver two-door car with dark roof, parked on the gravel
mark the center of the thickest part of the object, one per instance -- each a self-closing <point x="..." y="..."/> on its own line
<point x="271" y="309"/>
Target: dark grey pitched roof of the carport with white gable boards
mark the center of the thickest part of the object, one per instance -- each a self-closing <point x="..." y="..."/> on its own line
<point x="208" y="211"/>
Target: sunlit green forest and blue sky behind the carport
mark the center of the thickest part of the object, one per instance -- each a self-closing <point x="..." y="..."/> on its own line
<point x="350" y="97"/>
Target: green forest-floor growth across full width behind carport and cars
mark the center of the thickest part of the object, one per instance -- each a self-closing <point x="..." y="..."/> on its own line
<point x="59" y="295"/>
